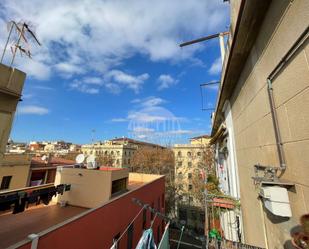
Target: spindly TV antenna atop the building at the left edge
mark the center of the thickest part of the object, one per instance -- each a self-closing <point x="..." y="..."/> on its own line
<point x="23" y="33"/>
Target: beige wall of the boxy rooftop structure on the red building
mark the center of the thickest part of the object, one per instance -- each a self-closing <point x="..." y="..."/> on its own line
<point x="89" y="188"/>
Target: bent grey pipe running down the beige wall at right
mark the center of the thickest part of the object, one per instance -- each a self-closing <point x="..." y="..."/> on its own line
<point x="286" y="58"/>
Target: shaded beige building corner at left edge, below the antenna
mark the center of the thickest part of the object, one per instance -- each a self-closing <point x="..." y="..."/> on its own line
<point x="11" y="85"/>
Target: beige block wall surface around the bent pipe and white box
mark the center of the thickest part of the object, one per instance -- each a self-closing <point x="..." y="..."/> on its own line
<point x="254" y="134"/>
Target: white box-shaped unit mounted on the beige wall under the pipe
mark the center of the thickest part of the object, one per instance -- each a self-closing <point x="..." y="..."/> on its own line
<point x="276" y="200"/>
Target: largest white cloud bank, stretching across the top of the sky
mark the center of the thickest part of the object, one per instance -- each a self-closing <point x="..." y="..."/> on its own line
<point x="80" y="36"/>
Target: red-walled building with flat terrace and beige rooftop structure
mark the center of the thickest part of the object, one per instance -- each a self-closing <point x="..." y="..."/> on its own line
<point x="96" y="211"/>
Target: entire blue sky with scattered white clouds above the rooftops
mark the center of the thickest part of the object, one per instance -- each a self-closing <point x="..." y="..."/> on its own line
<point x="115" y="67"/>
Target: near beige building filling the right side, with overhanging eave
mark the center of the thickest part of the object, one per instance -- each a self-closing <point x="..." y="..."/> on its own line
<point x="260" y="126"/>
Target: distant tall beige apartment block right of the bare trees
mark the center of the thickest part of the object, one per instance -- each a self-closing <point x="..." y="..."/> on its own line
<point x="190" y="166"/>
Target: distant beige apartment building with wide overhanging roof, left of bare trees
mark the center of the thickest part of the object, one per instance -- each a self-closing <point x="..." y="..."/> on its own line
<point x="119" y="150"/>
